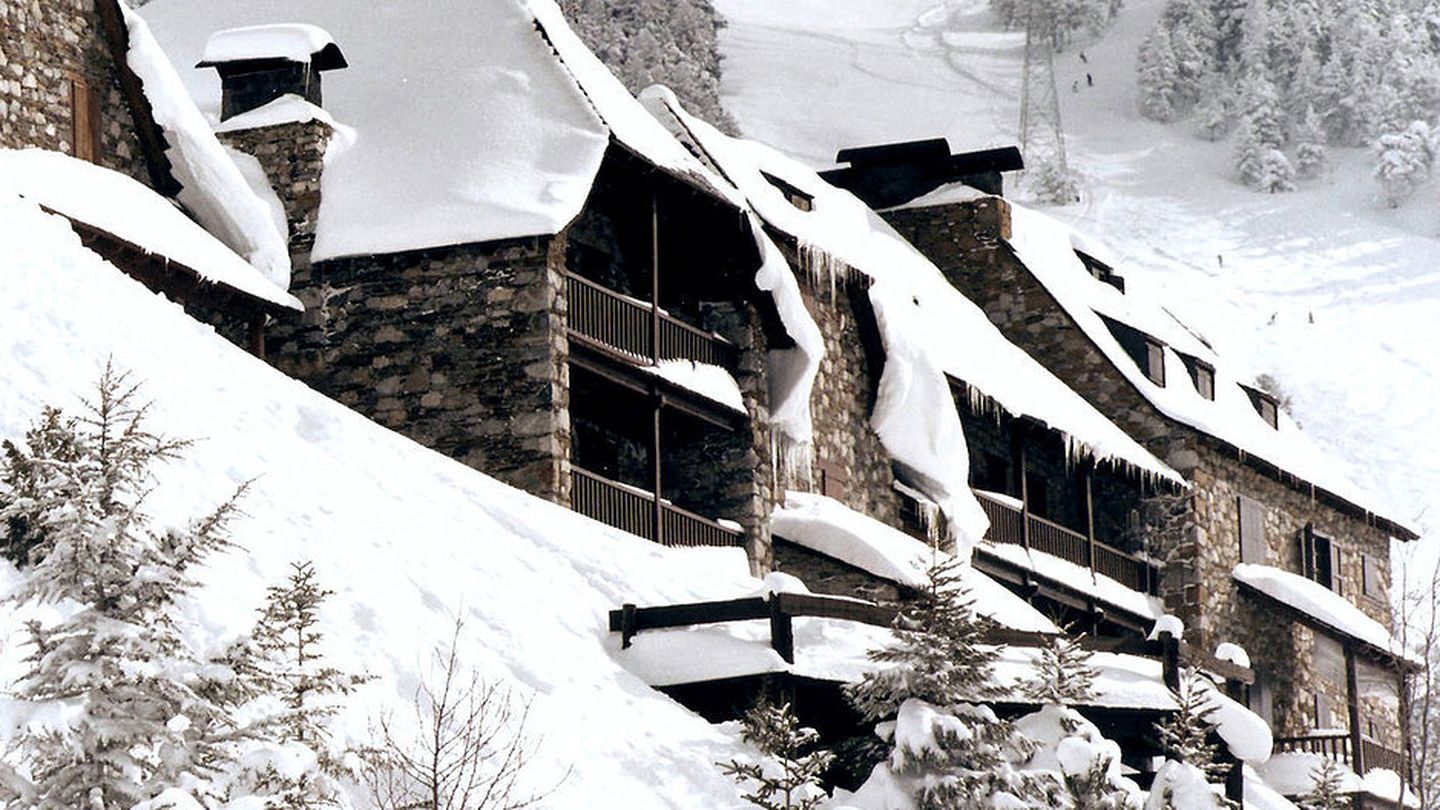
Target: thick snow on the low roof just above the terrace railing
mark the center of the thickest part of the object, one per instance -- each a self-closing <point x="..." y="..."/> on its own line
<point x="827" y="527"/>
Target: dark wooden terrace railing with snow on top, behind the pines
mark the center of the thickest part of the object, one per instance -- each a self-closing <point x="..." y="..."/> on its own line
<point x="781" y="609"/>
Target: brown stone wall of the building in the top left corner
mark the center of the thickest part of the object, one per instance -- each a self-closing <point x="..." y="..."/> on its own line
<point x="44" y="45"/>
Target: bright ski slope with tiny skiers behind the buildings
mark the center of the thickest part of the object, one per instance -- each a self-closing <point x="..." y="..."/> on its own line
<point x="1324" y="289"/>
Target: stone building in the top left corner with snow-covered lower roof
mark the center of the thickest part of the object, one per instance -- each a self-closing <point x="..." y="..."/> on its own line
<point x="78" y="135"/>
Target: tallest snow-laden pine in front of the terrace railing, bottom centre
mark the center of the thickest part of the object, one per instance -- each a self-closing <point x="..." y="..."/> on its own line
<point x="948" y="750"/>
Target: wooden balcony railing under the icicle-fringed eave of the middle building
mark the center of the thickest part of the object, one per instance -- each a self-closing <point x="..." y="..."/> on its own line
<point x="1012" y="525"/>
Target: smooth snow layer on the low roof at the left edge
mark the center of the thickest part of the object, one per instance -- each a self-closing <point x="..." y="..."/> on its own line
<point x="132" y="211"/>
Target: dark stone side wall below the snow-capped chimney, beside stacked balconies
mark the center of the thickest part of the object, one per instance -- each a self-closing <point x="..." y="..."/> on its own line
<point x="463" y="350"/>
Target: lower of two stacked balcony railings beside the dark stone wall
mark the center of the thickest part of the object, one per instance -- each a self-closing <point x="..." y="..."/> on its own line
<point x="633" y="511"/>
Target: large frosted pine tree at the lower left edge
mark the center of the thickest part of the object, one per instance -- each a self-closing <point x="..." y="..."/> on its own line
<point x="138" y="716"/>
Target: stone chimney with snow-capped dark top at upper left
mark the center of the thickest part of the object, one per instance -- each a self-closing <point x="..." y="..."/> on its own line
<point x="271" y="107"/>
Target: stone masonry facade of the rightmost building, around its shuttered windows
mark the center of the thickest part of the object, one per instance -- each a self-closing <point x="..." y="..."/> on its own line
<point x="967" y="241"/>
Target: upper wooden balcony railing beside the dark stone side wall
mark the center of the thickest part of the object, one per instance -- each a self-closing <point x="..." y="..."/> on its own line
<point x="630" y="326"/>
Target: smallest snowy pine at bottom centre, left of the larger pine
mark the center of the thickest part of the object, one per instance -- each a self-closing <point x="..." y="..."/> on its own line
<point x="790" y="775"/>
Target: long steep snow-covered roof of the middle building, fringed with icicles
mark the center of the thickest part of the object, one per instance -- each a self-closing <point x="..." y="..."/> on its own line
<point x="927" y="312"/>
